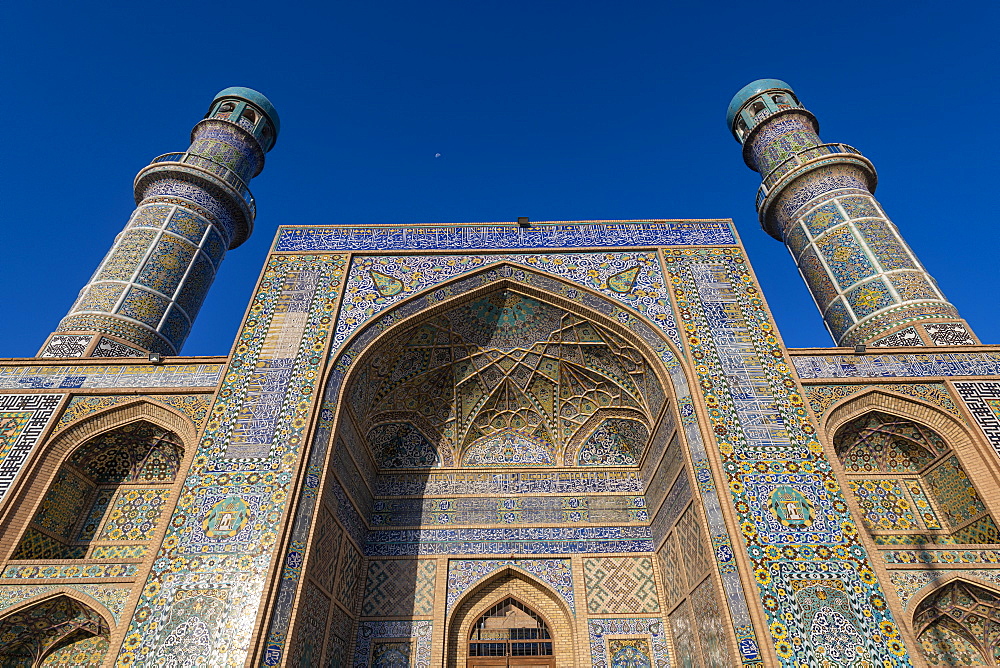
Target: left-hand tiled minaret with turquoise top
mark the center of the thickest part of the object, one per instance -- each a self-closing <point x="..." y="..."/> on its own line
<point x="190" y="208"/>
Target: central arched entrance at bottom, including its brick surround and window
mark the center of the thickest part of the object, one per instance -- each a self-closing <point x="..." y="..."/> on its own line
<point x="512" y="621"/>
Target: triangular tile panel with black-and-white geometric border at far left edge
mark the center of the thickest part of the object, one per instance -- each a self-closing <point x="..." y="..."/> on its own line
<point x="23" y="418"/>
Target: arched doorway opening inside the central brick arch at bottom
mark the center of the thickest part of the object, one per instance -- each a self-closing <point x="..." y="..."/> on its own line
<point x="510" y="634"/>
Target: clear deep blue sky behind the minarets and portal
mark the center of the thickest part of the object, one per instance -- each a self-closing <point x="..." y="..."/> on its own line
<point x="552" y="110"/>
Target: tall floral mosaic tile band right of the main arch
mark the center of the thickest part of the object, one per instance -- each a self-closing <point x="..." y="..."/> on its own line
<point x="781" y="484"/>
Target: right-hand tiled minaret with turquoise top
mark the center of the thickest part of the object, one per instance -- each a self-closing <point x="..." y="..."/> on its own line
<point x="817" y="199"/>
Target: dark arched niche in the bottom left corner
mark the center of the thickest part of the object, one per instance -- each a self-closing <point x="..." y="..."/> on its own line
<point x="56" y="631"/>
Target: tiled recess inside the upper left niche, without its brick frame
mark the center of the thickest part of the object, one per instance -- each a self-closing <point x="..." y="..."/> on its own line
<point x="106" y="499"/>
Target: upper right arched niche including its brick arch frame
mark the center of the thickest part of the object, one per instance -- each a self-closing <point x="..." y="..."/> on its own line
<point x="908" y="469"/>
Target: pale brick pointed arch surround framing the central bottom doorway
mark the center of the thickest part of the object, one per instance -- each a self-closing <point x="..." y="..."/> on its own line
<point x="510" y="582"/>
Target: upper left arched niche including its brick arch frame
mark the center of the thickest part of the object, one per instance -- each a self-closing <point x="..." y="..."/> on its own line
<point x="102" y="486"/>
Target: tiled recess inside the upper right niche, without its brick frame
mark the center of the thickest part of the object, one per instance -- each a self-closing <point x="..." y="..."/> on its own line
<point x="910" y="486"/>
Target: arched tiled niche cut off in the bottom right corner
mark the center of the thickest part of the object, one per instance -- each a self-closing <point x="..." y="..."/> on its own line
<point x="958" y="626"/>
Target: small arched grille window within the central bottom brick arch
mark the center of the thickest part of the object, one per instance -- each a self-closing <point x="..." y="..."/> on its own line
<point x="510" y="628"/>
